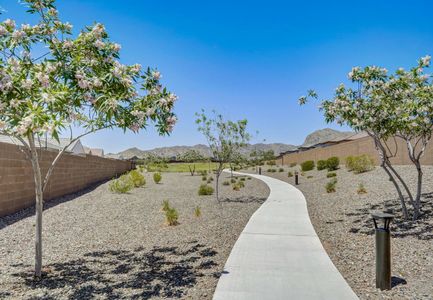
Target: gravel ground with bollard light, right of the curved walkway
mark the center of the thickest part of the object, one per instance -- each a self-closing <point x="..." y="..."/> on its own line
<point x="342" y="221"/>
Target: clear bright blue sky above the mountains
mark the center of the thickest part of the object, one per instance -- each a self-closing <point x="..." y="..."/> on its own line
<point x="251" y="59"/>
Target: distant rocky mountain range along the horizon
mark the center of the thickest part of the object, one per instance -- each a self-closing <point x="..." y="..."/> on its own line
<point x="315" y="137"/>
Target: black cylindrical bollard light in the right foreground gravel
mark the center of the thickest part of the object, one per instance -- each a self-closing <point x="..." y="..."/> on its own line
<point x="383" y="250"/>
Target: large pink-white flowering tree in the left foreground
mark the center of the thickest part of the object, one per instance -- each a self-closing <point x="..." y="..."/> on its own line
<point x="77" y="82"/>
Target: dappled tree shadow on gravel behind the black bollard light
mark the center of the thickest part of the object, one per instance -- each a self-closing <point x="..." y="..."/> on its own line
<point x="421" y="229"/>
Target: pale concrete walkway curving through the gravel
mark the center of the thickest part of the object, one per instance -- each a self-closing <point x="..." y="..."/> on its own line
<point x="279" y="255"/>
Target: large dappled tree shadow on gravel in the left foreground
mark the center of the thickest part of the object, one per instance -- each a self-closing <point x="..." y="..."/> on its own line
<point x="139" y="274"/>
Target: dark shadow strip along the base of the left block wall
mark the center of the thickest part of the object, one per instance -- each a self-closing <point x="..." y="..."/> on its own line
<point x="30" y="211"/>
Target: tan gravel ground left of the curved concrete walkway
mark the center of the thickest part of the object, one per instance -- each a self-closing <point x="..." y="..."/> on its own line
<point x="101" y="245"/>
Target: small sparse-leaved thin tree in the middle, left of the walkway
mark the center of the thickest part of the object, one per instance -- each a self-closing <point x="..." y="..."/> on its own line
<point x="225" y="138"/>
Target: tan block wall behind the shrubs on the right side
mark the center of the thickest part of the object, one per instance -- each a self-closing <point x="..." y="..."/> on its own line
<point x="357" y="147"/>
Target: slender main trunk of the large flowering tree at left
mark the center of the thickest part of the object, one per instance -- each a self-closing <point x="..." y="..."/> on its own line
<point x="39" y="205"/>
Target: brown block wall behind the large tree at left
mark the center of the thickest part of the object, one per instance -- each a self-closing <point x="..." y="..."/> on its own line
<point x="71" y="174"/>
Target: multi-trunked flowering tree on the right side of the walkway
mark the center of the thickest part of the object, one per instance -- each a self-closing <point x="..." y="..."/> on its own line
<point x="388" y="106"/>
